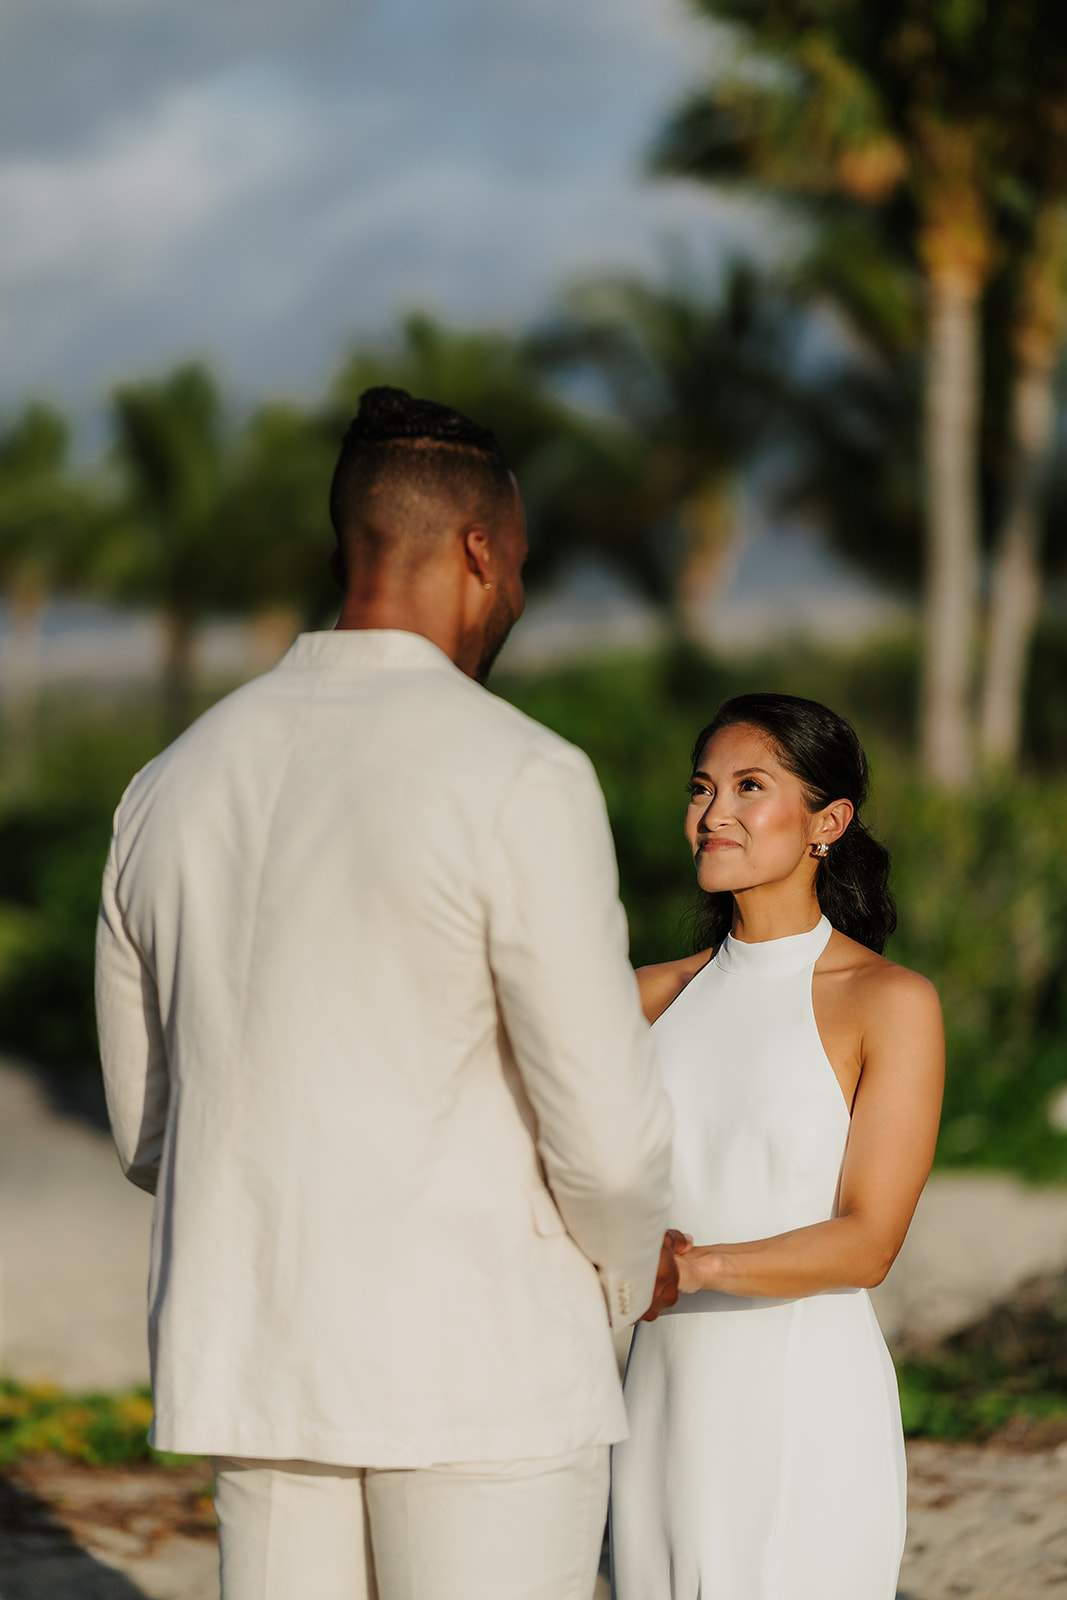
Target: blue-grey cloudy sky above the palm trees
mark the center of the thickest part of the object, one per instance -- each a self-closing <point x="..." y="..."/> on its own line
<point x="263" y="180"/>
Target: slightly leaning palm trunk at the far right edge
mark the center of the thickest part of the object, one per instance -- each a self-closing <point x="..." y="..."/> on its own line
<point x="1017" y="577"/>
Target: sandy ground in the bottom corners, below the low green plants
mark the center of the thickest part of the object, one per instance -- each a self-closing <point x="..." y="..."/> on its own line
<point x="983" y="1526"/>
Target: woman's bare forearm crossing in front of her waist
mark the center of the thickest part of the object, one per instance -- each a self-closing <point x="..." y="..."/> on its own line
<point x="845" y="1252"/>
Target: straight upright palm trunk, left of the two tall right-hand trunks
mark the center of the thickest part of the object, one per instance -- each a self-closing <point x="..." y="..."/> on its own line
<point x="953" y="534"/>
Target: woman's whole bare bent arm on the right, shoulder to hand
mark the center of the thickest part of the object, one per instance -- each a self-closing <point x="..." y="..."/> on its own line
<point x="890" y="1153"/>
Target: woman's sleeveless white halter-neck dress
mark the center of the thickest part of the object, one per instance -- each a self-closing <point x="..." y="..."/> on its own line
<point x="765" y="1458"/>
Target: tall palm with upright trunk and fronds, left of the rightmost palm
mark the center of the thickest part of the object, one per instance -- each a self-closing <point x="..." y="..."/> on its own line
<point x="916" y="106"/>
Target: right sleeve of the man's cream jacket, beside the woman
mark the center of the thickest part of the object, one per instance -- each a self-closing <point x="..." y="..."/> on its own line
<point x="572" y="1010"/>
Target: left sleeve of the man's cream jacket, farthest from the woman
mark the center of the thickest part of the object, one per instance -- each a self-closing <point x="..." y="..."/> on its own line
<point x="130" y="1031"/>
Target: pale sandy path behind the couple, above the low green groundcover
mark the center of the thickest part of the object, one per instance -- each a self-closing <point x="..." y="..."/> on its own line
<point x="74" y="1250"/>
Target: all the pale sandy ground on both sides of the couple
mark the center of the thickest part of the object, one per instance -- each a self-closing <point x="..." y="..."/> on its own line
<point x="986" y="1524"/>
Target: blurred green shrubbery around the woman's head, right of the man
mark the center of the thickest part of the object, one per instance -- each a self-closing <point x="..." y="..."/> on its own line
<point x="981" y="881"/>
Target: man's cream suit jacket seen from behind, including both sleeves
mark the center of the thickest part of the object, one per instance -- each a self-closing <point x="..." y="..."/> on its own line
<point x="370" y="1036"/>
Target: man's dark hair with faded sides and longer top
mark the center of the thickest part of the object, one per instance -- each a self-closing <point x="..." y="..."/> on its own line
<point x="402" y="463"/>
